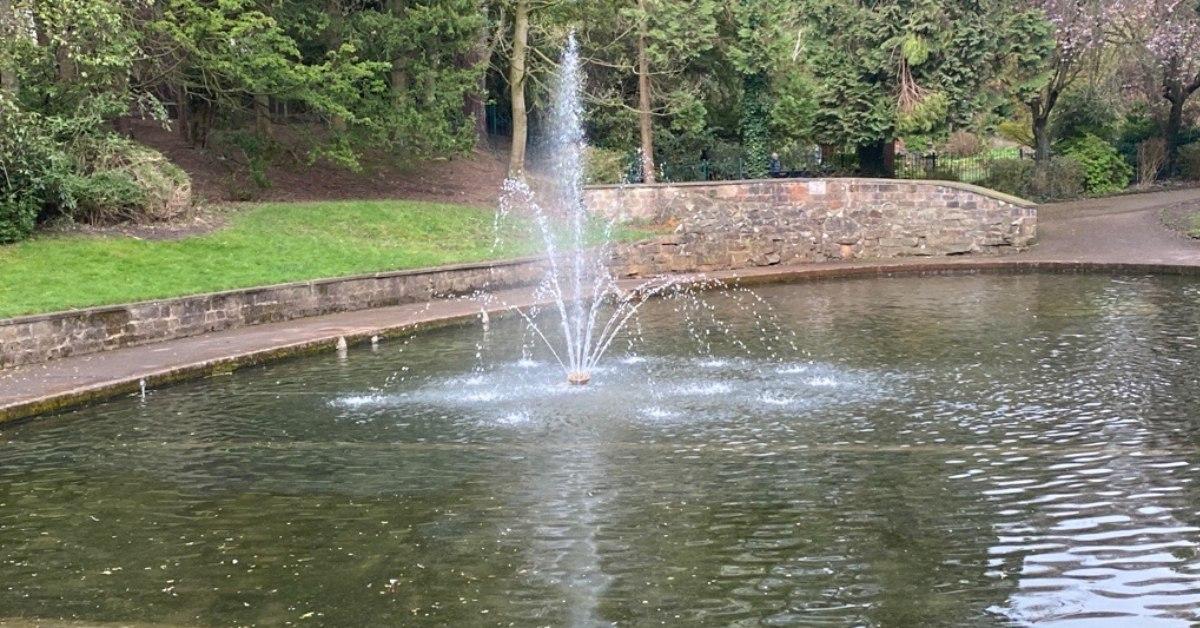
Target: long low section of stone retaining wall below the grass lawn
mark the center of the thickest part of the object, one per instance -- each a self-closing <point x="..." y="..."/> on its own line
<point x="41" y="338"/>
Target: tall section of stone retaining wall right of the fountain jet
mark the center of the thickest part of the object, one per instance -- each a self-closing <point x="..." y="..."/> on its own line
<point x="734" y="225"/>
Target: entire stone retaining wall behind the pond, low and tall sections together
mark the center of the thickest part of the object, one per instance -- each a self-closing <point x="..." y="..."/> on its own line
<point x="718" y="228"/>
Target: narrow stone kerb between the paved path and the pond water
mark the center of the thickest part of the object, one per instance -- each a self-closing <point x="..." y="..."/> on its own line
<point x="33" y="408"/>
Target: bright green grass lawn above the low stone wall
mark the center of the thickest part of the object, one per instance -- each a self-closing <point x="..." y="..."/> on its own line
<point x="262" y="244"/>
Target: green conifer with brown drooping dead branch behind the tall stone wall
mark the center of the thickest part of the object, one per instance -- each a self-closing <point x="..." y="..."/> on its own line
<point x="909" y="68"/>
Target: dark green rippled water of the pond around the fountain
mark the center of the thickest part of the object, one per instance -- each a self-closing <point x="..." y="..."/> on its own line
<point x="973" y="451"/>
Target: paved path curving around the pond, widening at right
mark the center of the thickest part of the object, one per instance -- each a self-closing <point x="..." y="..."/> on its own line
<point x="1114" y="231"/>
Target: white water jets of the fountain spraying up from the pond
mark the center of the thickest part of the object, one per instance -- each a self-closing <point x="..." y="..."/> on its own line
<point x="592" y="307"/>
